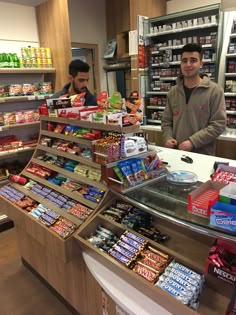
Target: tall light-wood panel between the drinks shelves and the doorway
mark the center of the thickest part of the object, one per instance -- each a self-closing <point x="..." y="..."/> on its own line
<point x="54" y="32"/>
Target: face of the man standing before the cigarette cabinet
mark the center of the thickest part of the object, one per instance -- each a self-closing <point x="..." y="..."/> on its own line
<point x="190" y="64"/>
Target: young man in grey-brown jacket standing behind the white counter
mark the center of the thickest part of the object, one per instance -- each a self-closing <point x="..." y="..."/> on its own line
<point x="195" y="113"/>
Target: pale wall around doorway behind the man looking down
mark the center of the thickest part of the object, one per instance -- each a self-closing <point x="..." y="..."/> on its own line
<point x="88" y="25"/>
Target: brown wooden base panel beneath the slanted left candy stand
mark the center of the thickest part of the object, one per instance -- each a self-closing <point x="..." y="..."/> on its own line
<point x="66" y="278"/>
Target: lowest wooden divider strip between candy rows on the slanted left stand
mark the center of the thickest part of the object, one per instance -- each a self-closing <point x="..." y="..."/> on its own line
<point x="47" y="204"/>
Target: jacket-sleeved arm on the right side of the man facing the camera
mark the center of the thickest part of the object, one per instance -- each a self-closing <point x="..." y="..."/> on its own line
<point x="217" y="121"/>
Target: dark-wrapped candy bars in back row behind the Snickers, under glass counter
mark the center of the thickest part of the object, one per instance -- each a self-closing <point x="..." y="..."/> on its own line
<point x="134" y="218"/>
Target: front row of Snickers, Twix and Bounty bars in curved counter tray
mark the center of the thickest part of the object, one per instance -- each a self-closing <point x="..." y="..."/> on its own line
<point x="151" y="264"/>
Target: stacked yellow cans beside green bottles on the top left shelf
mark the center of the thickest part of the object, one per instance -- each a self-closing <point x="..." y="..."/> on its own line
<point x="35" y="57"/>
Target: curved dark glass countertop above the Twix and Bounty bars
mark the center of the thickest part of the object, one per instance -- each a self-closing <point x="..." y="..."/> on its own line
<point x="170" y="201"/>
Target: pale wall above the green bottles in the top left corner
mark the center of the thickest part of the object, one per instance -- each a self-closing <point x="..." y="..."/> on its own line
<point x="18" y="27"/>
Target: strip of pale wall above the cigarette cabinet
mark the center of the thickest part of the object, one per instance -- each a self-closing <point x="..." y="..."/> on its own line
<point x="182" y="5"/>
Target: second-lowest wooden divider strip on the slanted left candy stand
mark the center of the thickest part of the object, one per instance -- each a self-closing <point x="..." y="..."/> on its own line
<point x="69" y="174"/>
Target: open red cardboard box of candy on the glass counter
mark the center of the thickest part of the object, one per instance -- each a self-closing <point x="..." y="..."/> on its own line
<point x="202" y="198"/>
